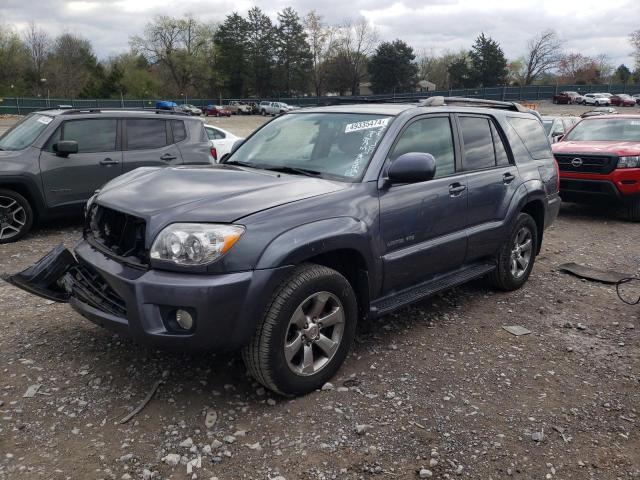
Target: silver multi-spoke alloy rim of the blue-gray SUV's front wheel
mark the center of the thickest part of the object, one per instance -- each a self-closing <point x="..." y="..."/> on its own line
<point x="314" y="333"/>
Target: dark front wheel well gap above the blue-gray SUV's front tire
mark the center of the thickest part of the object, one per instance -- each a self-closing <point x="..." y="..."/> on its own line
<point x="351" y="265"/>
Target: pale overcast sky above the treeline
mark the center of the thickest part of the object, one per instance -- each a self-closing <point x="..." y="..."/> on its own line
<point x="590" y="27"/>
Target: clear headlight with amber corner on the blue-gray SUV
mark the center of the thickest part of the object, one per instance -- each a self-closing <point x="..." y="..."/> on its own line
<point x="195" y="243"/>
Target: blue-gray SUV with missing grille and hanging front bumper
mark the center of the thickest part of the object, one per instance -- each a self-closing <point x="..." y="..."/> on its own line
<point x="317" y="220"/>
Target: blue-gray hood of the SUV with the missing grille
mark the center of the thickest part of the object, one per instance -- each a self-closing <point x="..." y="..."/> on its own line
<point x="219" y="193"/>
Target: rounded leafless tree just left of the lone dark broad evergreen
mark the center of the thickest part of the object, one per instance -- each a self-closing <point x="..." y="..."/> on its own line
<point x="356" y="43"/>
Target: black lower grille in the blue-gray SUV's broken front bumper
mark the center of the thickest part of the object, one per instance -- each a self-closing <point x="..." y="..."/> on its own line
<point x="90" y="288"/>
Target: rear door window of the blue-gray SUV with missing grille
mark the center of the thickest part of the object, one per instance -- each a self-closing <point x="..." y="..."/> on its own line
<point x="477" y="143"/>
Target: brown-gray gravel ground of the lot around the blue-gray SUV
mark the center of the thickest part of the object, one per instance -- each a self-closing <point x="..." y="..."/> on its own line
<point x="438" y="390"/>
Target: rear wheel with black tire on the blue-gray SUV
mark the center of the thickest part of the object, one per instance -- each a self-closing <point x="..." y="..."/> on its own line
<point x="503" y="277"/>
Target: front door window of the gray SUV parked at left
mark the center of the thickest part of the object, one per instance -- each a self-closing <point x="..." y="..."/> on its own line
<point x="92" y="135"/>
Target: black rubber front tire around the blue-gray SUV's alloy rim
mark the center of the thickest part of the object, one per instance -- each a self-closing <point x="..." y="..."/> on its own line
<point x="264" y="356"/>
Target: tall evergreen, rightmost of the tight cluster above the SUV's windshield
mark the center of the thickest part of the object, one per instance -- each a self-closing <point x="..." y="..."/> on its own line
<point x="293" y="53"/>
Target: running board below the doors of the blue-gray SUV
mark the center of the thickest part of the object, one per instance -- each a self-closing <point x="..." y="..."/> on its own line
<point x="423" y="290"/>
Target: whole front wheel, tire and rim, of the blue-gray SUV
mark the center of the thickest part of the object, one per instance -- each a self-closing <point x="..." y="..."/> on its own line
<point x="309" y="286"/>
